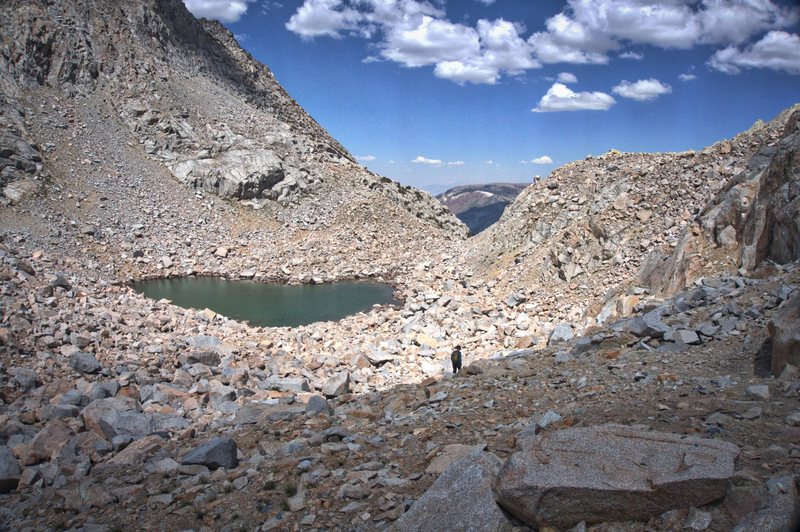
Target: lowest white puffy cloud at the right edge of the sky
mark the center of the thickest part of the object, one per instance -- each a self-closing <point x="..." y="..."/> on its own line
<point x="777" y="50"/>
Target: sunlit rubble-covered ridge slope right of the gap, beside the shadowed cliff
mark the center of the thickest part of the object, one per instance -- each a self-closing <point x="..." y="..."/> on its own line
<point x="588" y="234"/>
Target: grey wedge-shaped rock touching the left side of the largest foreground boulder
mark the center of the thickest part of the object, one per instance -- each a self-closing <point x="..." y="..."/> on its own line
<point x="460" y="499"/>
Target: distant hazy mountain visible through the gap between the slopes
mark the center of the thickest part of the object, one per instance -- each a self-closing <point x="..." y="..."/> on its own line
<point x="479" y="206"/>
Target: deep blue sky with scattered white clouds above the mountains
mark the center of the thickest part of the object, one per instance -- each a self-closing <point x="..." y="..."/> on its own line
<point x="435" y="94"/>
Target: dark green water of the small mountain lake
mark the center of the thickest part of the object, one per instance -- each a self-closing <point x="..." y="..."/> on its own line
<point x="270" y="305"/>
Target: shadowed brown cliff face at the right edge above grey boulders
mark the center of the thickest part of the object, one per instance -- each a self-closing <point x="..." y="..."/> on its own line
<point x="754" y="218"/>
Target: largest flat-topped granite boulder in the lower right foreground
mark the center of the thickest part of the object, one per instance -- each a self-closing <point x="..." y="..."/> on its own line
<point x="611" y="473"/>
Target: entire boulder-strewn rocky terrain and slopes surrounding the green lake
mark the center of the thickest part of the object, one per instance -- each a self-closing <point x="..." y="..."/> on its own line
<point x="119" y="411"/>
